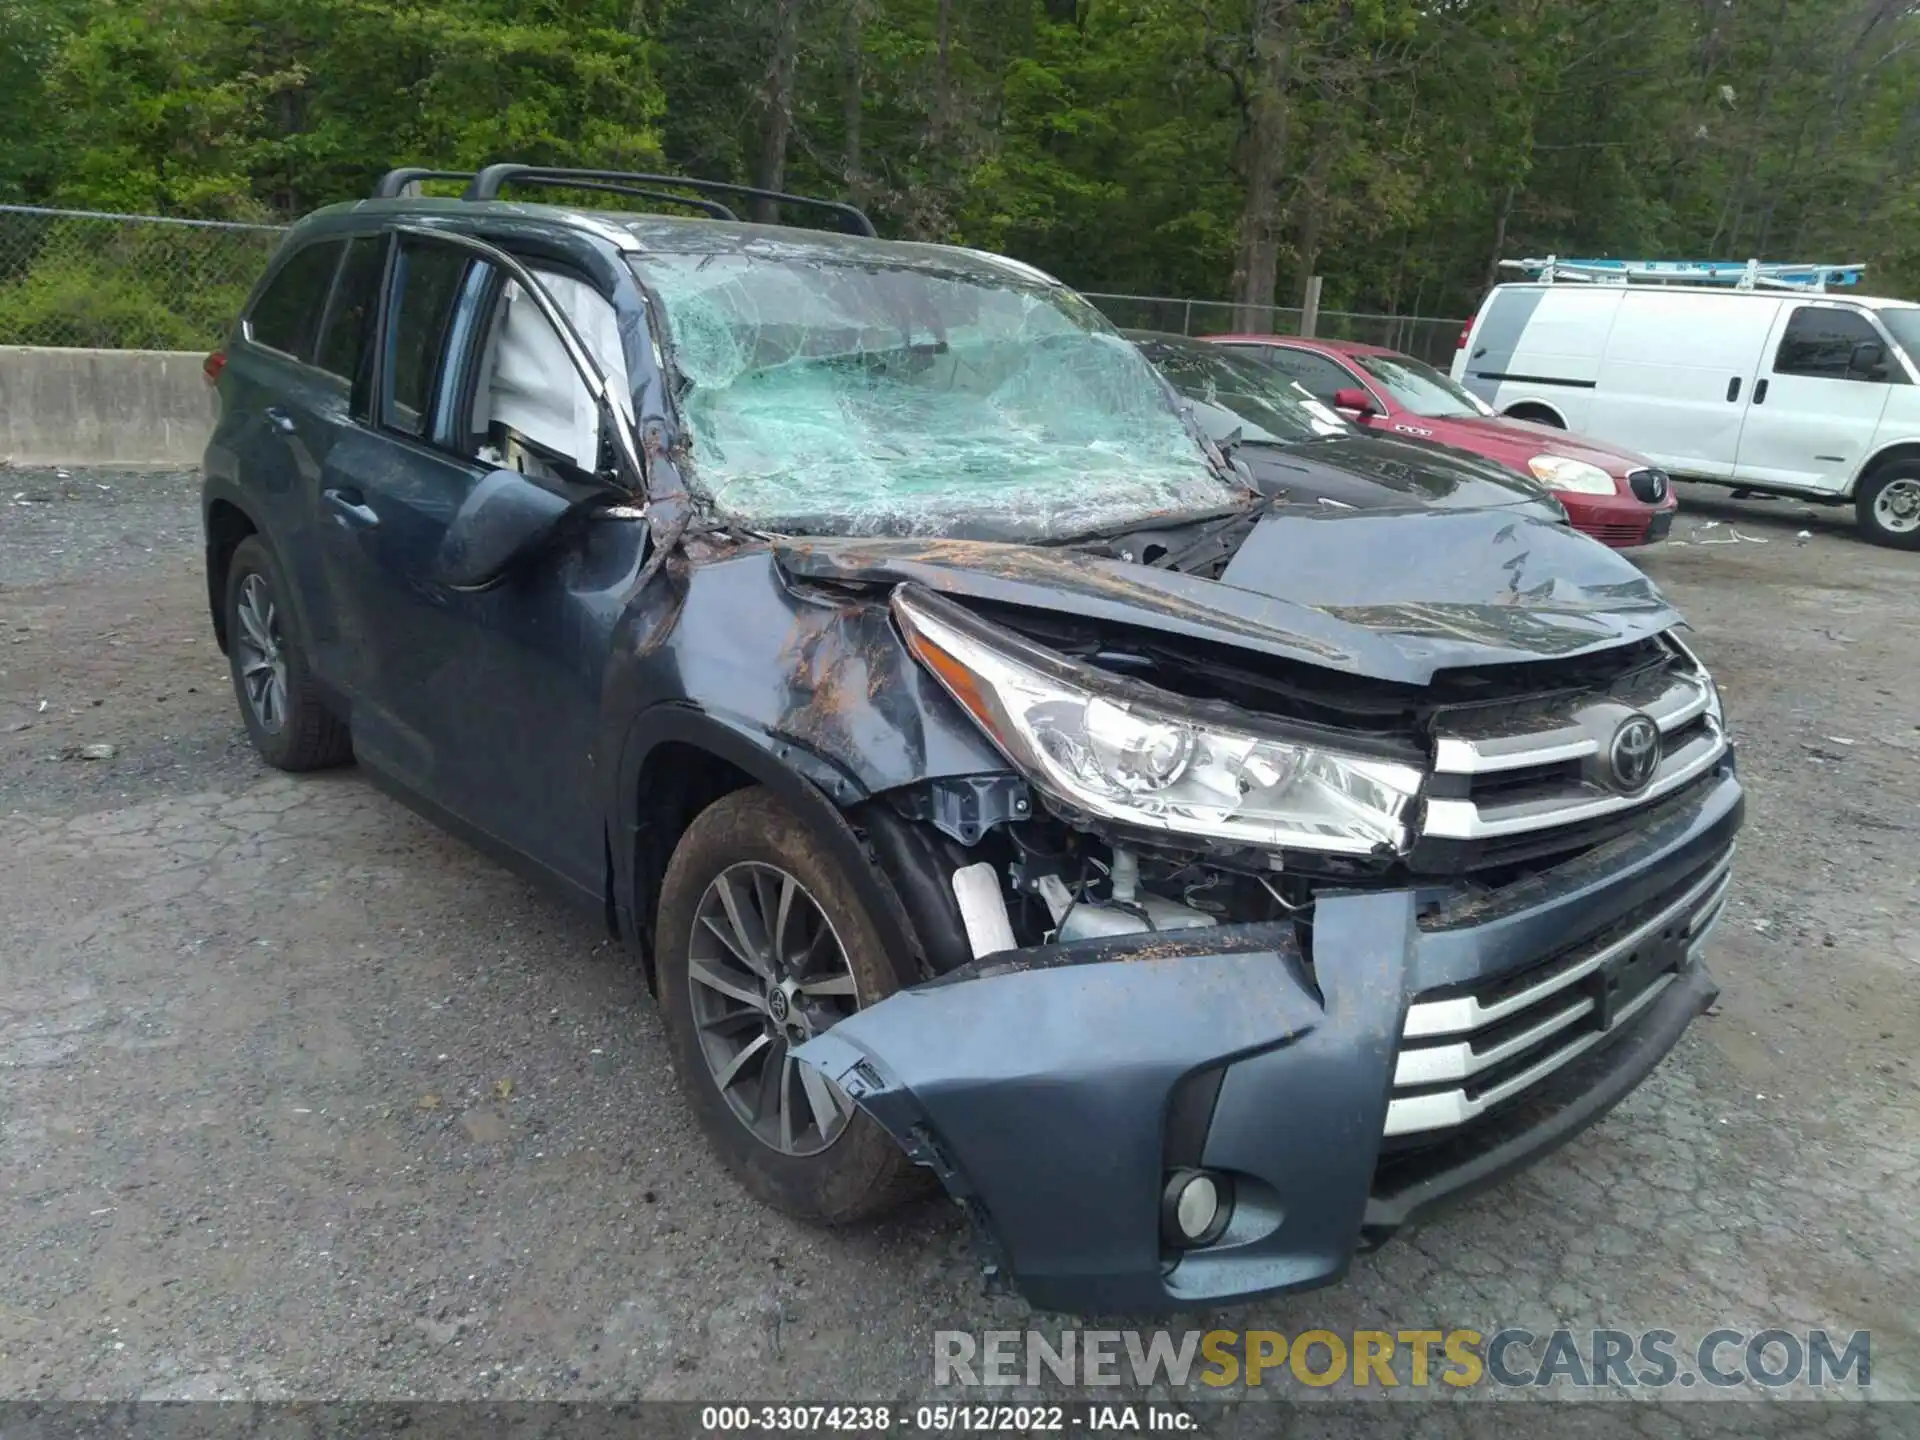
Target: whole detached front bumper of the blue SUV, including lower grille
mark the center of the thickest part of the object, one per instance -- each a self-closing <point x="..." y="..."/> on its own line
<point x="1431" y="1044"/>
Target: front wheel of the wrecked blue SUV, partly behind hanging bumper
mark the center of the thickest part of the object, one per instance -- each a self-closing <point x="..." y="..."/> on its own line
<point x="763" y="944"/>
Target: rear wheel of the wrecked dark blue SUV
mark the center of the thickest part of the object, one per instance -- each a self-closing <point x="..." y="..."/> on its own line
<point x="285" y="715"/>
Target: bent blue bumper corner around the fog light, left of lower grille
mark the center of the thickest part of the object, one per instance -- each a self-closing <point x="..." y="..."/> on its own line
<point x="1049" y="1088"/>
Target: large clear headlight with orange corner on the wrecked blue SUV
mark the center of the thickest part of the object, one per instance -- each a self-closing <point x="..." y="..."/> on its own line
<point x="1136" y="756"/>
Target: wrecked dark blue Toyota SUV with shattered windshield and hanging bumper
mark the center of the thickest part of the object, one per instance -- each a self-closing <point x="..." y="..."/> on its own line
<point x="994" y="784"/>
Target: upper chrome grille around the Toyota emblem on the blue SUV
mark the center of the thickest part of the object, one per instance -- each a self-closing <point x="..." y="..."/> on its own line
<point x="1510" y="773"/>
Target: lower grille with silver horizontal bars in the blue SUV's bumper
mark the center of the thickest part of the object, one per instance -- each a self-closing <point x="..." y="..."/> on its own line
<point x="1468" y="1053"/>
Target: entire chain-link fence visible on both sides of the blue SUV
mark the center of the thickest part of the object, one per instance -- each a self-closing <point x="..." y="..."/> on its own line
<point x="72" y="277"/>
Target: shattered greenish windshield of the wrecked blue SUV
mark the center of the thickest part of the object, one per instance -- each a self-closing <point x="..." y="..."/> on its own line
<point x="836" y="395"/>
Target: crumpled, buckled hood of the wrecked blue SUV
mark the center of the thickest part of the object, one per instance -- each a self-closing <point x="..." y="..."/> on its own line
<point x="1389" y="596"/>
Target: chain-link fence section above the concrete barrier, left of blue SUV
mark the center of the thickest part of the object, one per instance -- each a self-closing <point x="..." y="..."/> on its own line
<point x="74" y="277"/>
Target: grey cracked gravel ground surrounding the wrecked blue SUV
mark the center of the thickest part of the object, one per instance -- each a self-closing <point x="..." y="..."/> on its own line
<point x="306" y="1099"/>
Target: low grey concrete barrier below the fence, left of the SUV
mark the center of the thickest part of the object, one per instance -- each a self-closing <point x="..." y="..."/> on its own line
<point x="139" y="408"/>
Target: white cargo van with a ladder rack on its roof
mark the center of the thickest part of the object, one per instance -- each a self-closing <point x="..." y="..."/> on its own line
<point x="1775" y="391"/>
